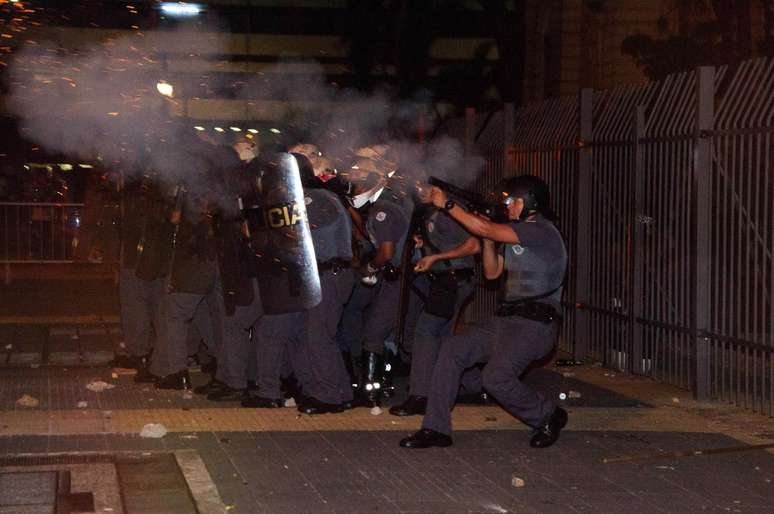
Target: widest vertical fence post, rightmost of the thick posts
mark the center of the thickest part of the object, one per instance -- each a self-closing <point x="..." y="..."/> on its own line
<point x="702" y="198"/>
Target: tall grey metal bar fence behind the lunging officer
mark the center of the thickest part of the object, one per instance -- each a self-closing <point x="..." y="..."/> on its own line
<point x="666" y="199"/>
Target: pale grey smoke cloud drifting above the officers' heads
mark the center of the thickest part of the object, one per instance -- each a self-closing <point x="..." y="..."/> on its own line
<point x="102" y="102"/>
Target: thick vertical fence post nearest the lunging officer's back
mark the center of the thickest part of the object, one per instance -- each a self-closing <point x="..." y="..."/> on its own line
<point x="583" y="230"/>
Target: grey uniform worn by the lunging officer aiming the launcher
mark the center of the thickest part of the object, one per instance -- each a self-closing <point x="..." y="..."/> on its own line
<point x="509" y="342"/>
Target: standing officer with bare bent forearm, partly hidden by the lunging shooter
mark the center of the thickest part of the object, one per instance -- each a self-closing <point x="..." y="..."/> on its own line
<point x="445" y="282"/>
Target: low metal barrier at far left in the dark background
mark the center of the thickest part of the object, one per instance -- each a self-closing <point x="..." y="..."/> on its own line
<point x="39" y="232"/>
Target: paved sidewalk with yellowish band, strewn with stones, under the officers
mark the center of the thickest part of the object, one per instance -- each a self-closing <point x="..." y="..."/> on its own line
<point x="280" y="461"/>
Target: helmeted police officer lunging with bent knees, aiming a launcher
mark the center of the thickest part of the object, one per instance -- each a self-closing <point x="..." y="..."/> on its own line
<point x="532" y="260"/>
